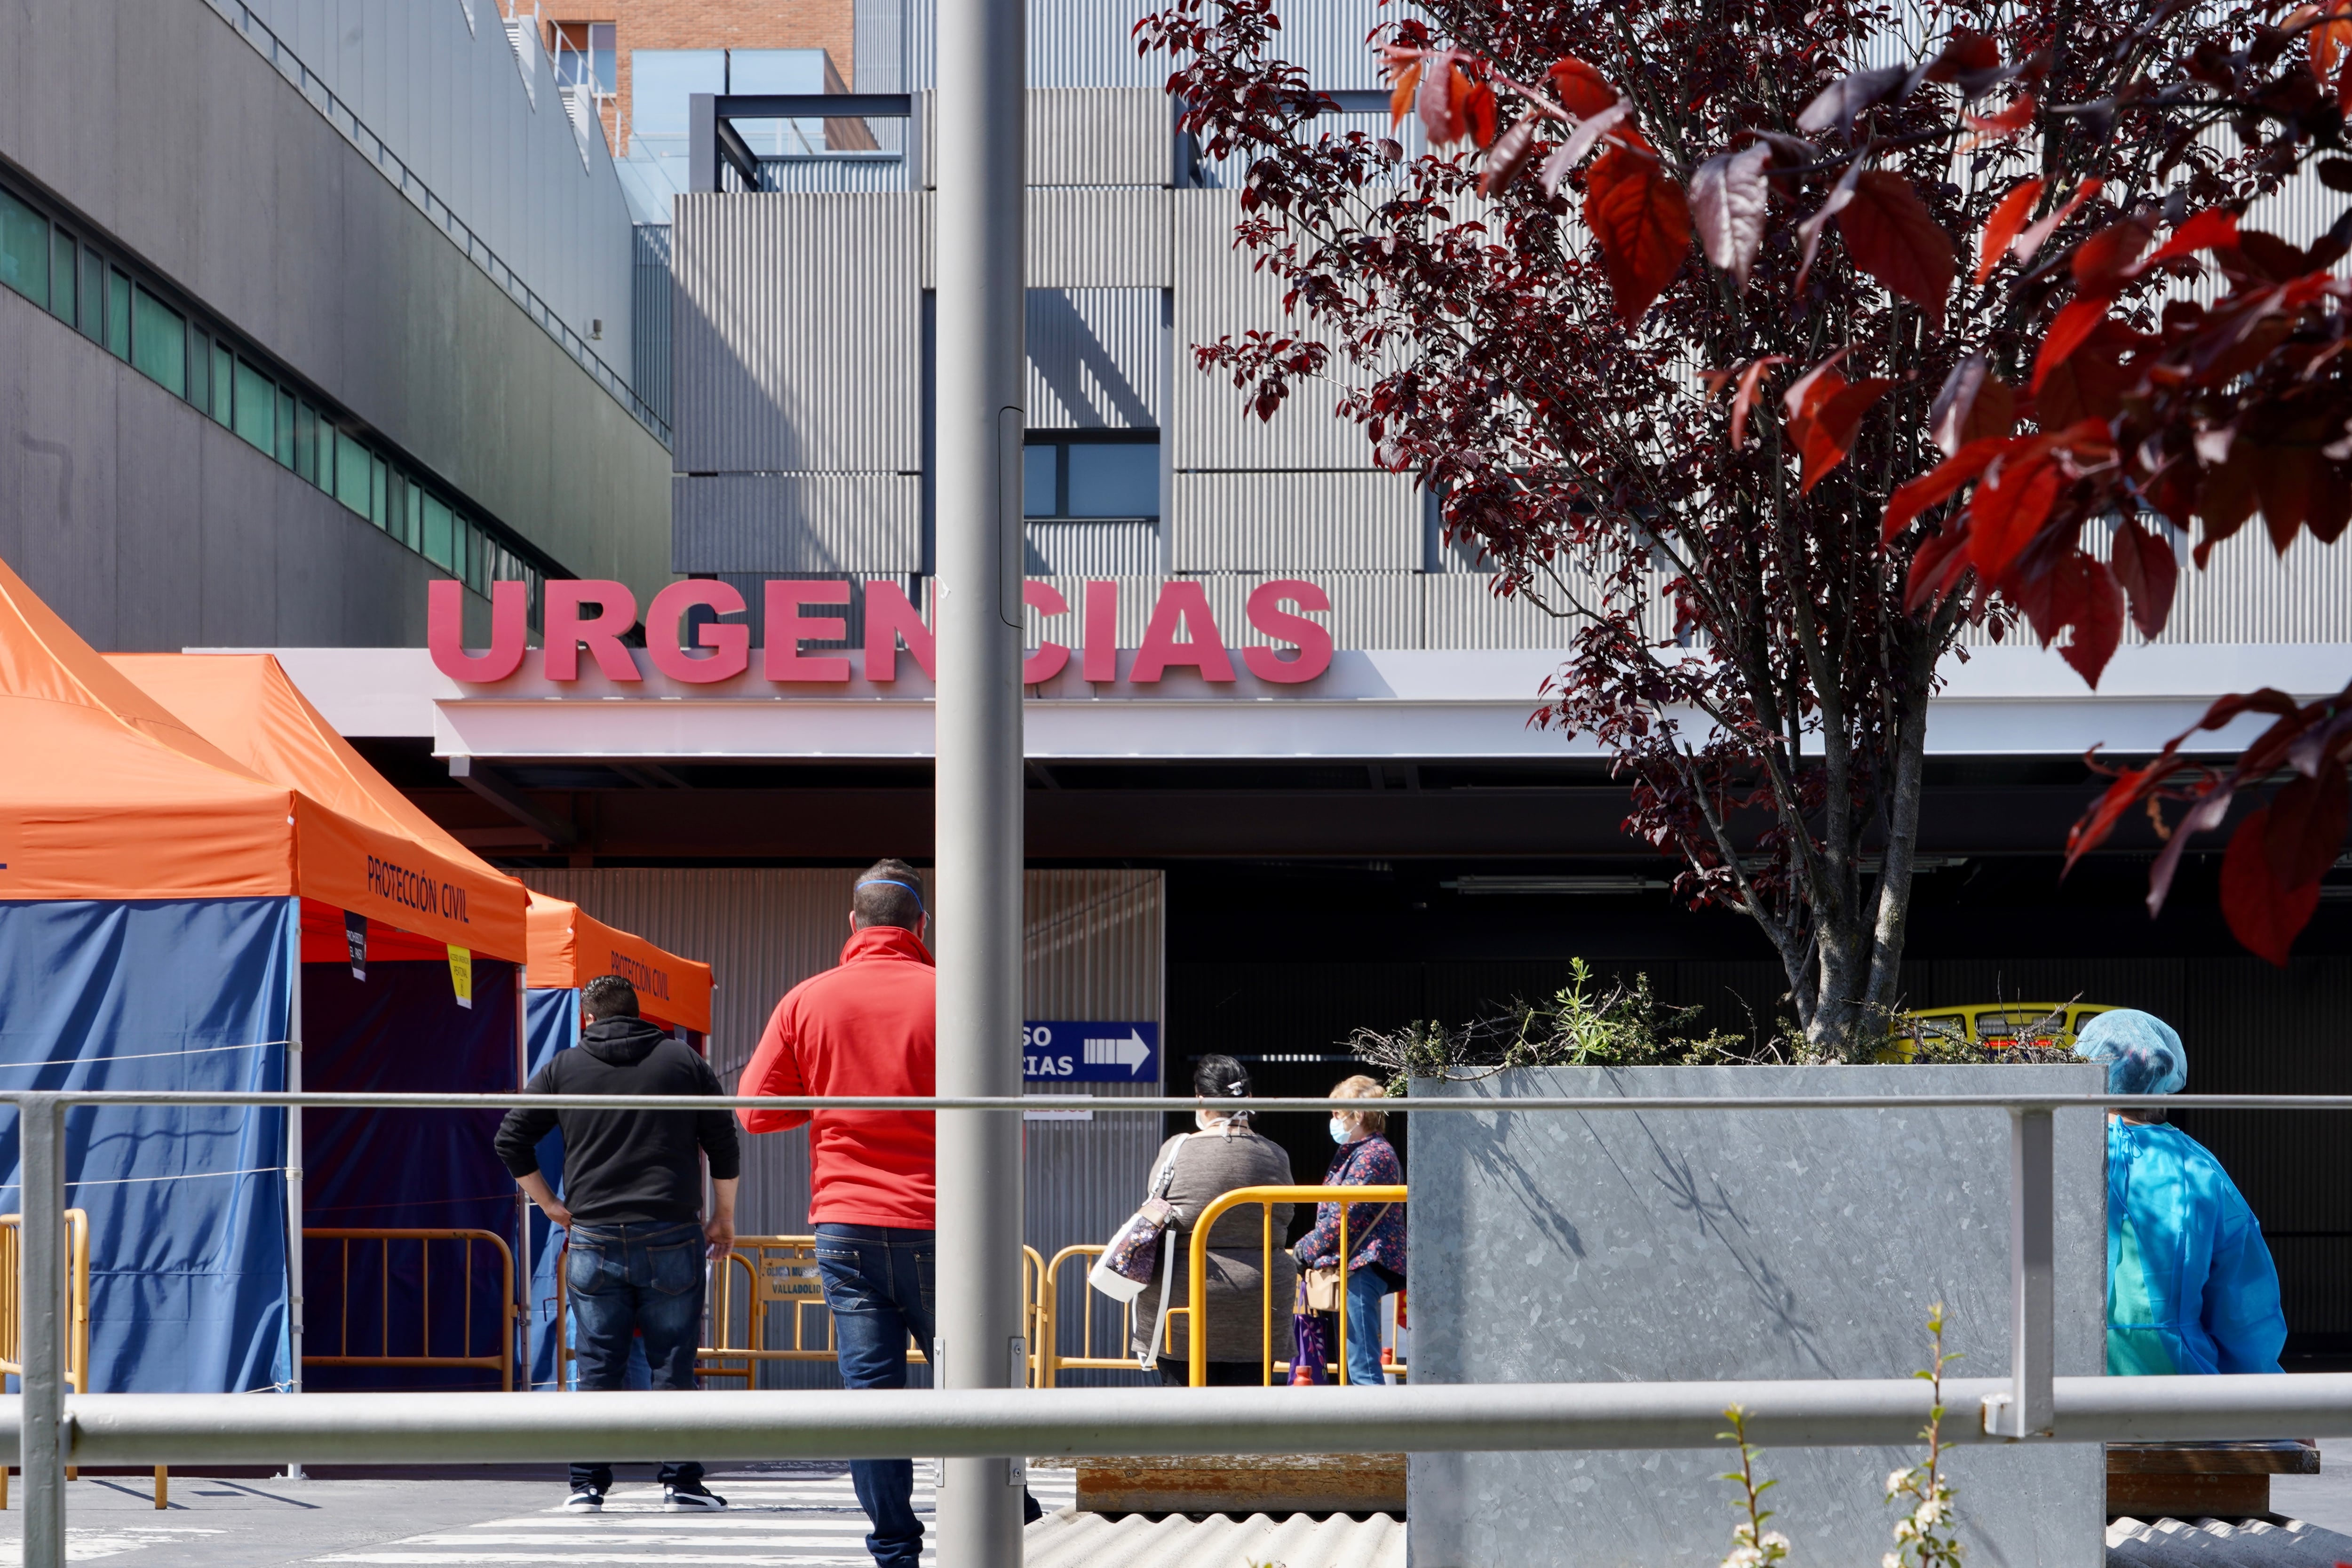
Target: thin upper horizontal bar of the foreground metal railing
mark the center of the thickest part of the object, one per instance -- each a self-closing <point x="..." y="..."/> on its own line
<point x="1172" y="1104"/>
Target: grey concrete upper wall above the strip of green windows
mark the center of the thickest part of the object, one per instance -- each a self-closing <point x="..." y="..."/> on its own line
<point x="173" y="135"/>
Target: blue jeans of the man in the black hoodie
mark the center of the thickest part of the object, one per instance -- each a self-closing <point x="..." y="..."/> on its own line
<point x="636" y="1287"/>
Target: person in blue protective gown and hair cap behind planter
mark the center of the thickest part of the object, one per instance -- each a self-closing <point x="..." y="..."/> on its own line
<point x="2191" y="1287"/>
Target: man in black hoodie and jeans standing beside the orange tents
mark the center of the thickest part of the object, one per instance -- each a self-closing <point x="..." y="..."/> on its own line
<point x="634" y="1205"/>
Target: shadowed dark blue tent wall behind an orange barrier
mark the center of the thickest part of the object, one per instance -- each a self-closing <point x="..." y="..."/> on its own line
<point x="413" y="1170"/>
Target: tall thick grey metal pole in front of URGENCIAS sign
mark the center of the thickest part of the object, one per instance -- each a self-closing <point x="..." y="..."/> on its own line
<point x="980" y="422"/>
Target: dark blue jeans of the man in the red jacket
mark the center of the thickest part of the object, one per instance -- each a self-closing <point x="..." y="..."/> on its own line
<point x="878" y="1285"/>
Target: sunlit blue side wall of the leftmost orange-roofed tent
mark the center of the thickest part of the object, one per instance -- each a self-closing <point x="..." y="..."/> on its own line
<point x="187" y="1205"/>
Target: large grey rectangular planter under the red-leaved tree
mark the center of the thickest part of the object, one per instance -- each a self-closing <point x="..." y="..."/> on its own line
<point x="1739" y="1245"/>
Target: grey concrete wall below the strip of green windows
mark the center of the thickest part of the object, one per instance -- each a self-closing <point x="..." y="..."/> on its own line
<point x="149" y="528"/>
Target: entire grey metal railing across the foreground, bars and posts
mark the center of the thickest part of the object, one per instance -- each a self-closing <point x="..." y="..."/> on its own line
<point x="2031" y="1405"/>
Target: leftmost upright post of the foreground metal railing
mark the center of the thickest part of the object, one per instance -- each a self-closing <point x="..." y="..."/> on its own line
<point x="41" y="1132"/>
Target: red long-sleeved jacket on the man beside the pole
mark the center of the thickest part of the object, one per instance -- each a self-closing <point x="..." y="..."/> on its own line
<point x="864" y="1028"/>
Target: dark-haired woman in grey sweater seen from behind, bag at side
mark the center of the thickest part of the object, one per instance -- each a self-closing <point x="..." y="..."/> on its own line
<point x="1212" y="1162"/>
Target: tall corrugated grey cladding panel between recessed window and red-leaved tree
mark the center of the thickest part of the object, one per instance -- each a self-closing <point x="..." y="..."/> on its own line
<point x="1220" y="295"/>
